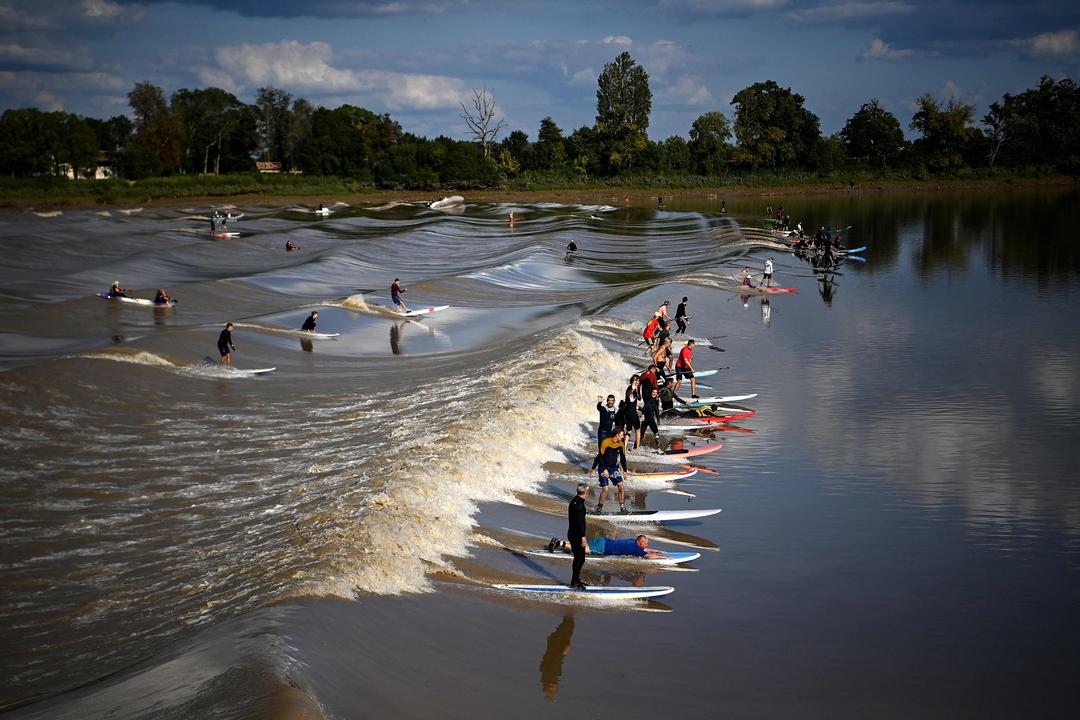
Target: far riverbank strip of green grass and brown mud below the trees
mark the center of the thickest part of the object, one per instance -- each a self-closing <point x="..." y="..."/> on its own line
<point x="255" y="188"/>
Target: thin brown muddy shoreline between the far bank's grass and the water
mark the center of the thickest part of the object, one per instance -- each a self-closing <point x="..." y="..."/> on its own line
<point x="627" y="196"/>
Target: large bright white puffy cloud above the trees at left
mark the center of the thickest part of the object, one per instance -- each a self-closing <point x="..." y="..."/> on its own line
<point x="303" y="67"/>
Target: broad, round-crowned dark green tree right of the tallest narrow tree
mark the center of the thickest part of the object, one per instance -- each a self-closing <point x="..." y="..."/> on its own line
<point x="773" y="127"/>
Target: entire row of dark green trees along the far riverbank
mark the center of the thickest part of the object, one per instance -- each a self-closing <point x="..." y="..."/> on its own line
<point x="212" y="132"/>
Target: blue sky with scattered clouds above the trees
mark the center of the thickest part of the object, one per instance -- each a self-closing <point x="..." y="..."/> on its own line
<point x="417" y="60"/>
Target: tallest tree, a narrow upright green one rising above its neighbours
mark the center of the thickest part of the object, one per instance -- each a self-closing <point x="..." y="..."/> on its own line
<point x="624" y="104"/>
